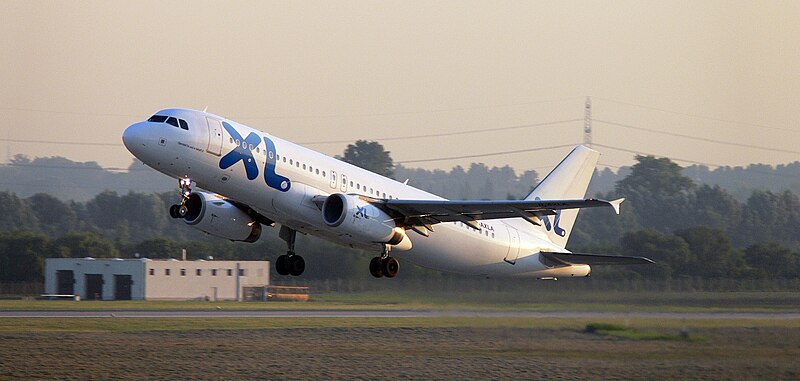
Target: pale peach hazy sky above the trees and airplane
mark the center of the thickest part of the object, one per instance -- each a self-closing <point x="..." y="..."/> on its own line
<point x="701" y="72"/>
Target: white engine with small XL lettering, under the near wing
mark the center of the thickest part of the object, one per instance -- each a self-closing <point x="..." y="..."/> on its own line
<point x="363" y="221"/>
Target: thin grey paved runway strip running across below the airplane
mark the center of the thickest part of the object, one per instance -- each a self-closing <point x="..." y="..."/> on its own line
<point x="342" y="313"/>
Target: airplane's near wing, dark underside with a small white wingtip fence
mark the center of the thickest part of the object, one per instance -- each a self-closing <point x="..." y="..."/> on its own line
<point x="428" y="212"/>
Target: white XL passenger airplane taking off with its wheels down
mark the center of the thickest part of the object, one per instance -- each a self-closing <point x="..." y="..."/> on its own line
<point x="254" y="179"/>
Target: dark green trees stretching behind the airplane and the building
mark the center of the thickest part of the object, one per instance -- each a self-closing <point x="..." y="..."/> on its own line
<point x="690" y="230"/>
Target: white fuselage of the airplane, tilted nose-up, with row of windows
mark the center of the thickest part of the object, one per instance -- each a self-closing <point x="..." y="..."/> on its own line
<point x="506" y="247"/>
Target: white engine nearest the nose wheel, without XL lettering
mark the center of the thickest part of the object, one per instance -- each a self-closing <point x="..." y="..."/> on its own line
<point x="213" y="215"/>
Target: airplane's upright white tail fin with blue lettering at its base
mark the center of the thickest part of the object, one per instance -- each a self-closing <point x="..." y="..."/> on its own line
<point x="568" y="180"/>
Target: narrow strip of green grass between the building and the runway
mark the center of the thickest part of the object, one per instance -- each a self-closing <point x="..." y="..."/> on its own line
<point x="554" y="301"/>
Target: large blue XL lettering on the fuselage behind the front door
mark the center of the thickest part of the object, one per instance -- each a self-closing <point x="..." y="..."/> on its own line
<point x="244" y="153"/>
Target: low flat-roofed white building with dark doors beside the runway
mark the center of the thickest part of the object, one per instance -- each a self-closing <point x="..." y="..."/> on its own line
<point x="146" y="279"/>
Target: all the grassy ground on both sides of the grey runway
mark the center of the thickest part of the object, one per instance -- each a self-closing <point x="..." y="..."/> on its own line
<point x="411" y="348"/>
